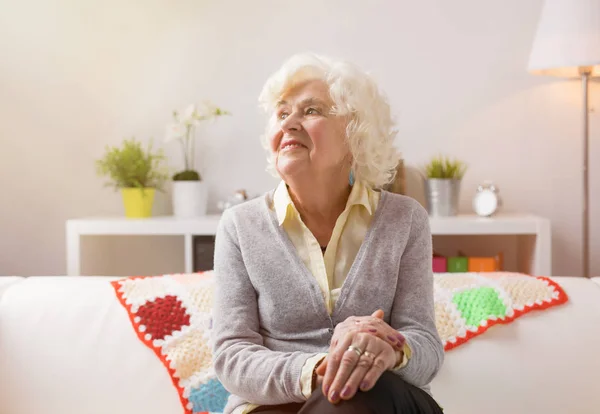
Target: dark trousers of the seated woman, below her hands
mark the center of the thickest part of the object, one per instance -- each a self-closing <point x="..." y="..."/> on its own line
<point x="390" y="395"/>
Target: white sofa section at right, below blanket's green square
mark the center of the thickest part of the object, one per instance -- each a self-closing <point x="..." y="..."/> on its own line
<point x="546" y="362"/>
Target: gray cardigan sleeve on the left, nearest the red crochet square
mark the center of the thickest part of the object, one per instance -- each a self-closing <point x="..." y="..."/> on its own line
<point x="242" y="363"/>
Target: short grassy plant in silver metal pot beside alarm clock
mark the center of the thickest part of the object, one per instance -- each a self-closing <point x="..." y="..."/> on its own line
<point x="442" y="185"/>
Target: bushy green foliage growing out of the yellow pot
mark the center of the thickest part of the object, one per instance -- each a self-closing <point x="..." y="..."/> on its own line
<point x="132" y="166"/>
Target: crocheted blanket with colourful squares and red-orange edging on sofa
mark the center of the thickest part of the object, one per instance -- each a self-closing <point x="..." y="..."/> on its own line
<point x="171" y="314"/>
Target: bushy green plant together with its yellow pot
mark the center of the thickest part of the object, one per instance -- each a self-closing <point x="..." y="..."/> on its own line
<point x="137" y="172"/>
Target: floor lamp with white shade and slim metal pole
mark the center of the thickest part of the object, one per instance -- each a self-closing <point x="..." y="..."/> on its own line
<point x="567" y="44"/>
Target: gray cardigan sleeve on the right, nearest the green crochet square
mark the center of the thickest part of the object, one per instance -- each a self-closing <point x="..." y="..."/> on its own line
<point x="413" y="313"/>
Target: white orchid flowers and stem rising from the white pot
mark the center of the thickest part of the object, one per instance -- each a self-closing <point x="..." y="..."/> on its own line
<point x="183" y="129"/>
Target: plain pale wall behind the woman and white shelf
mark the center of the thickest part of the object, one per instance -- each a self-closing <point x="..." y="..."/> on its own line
<point x="75" y="76"/>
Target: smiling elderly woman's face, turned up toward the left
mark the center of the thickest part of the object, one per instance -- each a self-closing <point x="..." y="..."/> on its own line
<point x="306" y="138"/>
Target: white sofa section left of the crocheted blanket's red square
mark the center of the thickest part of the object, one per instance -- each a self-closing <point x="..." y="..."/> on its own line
<point x="66" y="345"/>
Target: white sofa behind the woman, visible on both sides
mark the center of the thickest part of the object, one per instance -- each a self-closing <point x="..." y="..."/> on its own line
<point x="67" y="346"/>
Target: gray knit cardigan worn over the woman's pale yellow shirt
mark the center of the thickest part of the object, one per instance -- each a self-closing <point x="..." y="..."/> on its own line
<point x="269" y="313"/>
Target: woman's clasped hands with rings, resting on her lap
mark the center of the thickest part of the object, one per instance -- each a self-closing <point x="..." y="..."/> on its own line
<point x="362" y="348"/>
